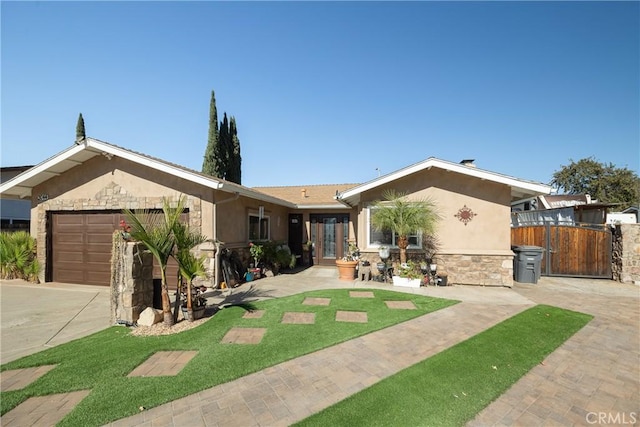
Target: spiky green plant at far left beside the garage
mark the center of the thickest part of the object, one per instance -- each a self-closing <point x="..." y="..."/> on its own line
<point x="18" y="256"/>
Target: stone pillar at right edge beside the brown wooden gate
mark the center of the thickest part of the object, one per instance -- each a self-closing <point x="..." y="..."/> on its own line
<point x="626" y="253"/>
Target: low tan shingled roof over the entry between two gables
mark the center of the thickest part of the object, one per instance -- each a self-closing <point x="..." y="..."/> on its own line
<point x="308" y="196"/>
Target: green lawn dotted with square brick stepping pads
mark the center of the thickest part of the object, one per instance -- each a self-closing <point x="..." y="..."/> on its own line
<point x="101" y="362"/>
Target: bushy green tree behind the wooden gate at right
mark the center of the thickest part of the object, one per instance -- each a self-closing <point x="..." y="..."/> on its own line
<point x="603" y="182"/>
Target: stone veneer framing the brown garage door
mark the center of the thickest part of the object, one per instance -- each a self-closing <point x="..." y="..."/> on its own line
<point x="111" y="197"/>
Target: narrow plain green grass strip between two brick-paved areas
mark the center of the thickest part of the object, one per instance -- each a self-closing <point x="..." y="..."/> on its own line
<point x="452" y="387"/>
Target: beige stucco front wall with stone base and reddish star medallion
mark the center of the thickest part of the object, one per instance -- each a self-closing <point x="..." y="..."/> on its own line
<point x="477" y="253"/>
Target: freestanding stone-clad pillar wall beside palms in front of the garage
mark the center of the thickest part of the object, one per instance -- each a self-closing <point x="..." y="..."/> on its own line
<point x="131" y="280"/>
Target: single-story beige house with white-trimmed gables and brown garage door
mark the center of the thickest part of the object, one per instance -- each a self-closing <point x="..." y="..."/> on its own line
<point x="78" y="196"/>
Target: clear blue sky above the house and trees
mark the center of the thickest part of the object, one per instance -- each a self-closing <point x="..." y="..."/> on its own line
<point x="328" y="92"/>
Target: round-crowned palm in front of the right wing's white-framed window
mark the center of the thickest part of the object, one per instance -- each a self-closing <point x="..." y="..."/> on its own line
<point x="402" y="216"/>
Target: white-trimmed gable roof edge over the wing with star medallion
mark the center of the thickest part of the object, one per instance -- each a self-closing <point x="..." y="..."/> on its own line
<point x="519" y="188"/>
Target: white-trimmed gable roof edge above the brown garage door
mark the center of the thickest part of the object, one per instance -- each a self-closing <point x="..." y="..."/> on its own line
<point x="22" y="185"/>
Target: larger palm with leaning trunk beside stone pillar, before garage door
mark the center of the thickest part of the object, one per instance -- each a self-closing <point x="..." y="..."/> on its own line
<point x="156" y="232"/>
